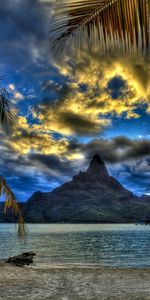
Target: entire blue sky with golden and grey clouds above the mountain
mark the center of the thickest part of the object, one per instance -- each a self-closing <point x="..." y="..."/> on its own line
<point x="68" y="111"/>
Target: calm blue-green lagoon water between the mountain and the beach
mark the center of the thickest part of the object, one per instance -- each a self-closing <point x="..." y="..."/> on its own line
<point x="81" y="245"/>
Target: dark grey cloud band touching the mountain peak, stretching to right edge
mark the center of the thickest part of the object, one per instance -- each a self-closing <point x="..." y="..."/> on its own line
<point x="114" y="150"/>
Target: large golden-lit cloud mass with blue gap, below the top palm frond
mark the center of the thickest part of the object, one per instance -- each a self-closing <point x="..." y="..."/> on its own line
<point x="89" y="111"/>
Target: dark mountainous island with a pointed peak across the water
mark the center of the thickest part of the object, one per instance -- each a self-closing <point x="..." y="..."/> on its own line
<point x="91" y="197"/>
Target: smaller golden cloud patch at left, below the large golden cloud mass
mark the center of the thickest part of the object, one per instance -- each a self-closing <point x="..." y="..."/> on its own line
<point x="31" y="139"/>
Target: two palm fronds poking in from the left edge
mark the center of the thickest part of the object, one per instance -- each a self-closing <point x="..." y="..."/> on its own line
<point x="7" y="119"/>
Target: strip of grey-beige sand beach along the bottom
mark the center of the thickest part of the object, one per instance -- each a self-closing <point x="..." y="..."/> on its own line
<point x="55" y="283"/>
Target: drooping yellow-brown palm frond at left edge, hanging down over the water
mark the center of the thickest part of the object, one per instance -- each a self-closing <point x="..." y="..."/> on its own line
<point x="11" y="202"/>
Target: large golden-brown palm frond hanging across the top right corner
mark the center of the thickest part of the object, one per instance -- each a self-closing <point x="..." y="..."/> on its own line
<point x="108" y="25"/>
